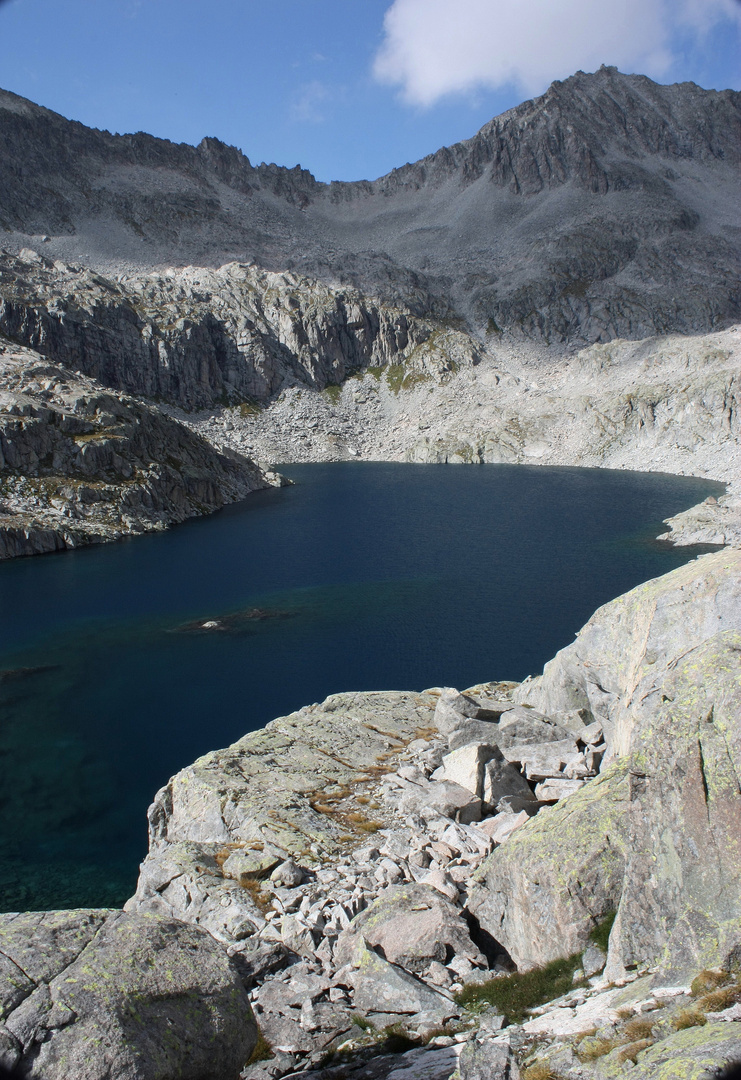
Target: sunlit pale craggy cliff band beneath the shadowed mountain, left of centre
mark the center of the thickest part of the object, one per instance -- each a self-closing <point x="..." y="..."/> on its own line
<point x="197" y="337"/>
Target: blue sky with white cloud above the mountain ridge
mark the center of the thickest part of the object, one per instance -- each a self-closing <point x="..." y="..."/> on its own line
<point x="348" y="89"/>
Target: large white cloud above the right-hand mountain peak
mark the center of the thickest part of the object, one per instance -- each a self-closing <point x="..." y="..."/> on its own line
<point x="435" y="48"/>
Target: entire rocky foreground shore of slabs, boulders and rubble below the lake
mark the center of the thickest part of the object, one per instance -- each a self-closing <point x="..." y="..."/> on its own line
<point x="372" y="856"/>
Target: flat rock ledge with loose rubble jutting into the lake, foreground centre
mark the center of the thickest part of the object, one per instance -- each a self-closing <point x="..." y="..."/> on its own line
<point x="333" y="858"/>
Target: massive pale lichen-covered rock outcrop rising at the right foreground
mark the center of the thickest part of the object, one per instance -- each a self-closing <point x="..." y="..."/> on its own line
<point x="656" y="836"/>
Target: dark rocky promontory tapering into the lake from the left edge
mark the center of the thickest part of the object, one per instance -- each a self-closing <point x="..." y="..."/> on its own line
<point x="82" y="465"/>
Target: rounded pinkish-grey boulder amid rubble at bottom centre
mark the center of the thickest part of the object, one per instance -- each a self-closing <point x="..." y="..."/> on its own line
<point x="412" y="926"/>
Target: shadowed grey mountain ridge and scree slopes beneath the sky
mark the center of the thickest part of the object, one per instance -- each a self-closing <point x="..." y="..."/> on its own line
<point x="607" y="208"/>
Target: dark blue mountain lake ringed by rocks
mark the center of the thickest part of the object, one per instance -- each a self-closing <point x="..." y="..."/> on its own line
<point x="370" y="576"/>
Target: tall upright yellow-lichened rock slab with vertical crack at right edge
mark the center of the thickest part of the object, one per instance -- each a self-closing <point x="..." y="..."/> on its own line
<point x="681" y="901"/>
